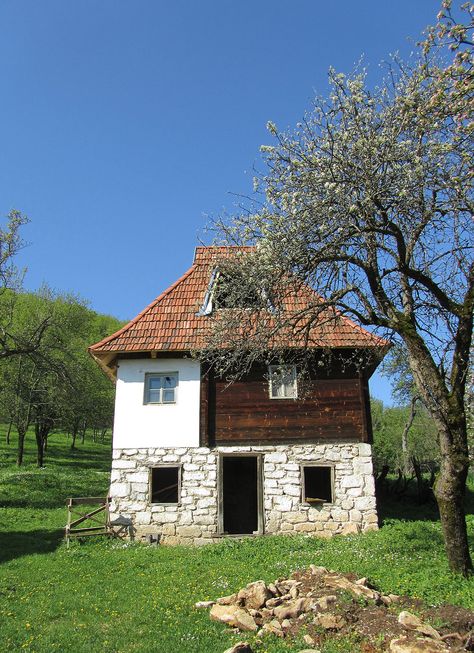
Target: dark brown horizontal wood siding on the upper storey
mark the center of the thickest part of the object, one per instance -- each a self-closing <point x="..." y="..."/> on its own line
<point x="243" y="412"/>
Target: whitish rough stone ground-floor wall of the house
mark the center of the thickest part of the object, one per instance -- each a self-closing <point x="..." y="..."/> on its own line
<point x="195" y="519"/>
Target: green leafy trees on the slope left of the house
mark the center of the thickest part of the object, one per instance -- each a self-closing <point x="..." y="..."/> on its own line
<point x="56" y="385"/>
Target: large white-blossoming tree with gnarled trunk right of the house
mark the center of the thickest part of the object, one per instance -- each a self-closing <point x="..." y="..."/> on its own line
<point x="369" y="201"/>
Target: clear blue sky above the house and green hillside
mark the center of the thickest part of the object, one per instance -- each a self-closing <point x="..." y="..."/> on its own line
<point x="126" y="126"/>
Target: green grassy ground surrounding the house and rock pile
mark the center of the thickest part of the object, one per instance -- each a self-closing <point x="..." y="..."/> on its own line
<point x="113" y="596"/>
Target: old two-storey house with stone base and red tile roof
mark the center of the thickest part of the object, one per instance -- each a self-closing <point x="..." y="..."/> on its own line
<point x="196" y="458"/>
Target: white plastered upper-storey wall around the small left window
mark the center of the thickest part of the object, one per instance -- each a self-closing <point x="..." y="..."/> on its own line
<point x="138" y="425"/>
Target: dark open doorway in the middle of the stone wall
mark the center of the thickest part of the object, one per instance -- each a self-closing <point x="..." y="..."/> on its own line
<point x="240" y="494"/>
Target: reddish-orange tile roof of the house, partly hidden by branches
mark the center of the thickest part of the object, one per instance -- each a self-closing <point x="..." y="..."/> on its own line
<point x="171" y="323"/>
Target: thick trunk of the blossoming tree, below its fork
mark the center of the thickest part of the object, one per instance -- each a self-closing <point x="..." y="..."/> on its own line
<point x="449" y="491"/>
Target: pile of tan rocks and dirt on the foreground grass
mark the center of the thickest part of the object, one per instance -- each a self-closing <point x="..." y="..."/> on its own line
<point x="319" y="598"/>
